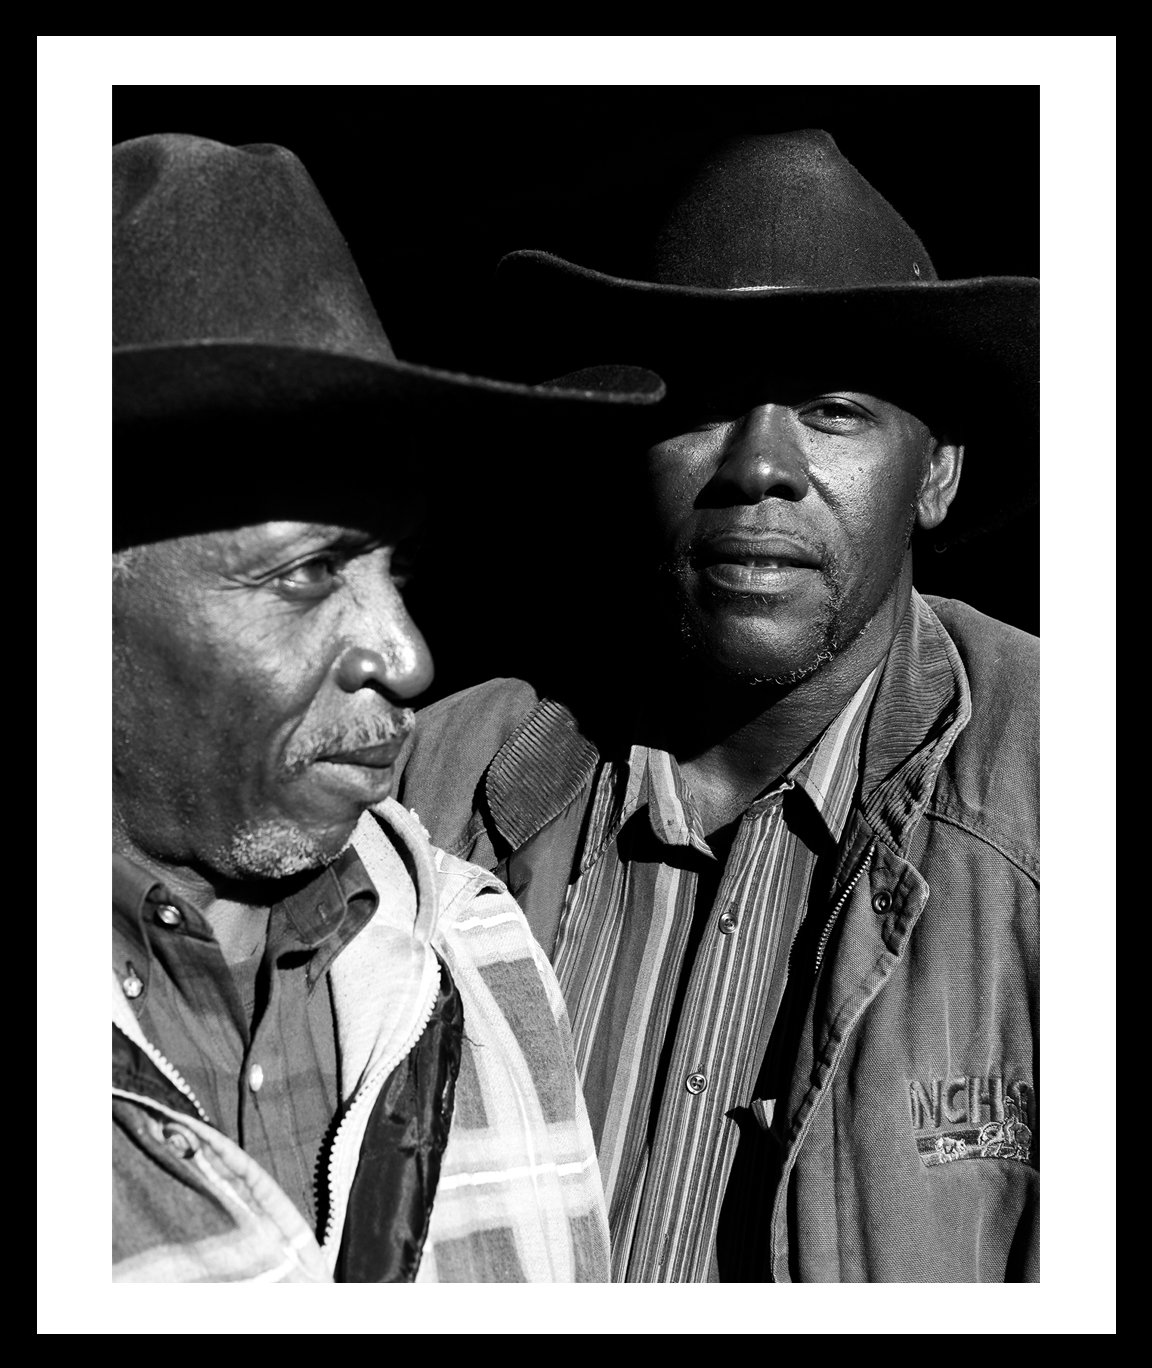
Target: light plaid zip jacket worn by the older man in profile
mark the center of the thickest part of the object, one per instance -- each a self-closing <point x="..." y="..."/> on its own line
<point x="463" y="1151"/>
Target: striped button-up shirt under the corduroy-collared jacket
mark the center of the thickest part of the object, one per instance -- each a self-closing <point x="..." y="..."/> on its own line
<point x="674" y="962"/>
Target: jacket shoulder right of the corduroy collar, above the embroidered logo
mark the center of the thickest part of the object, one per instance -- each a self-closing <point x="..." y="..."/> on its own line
<point x="991" y="779"/>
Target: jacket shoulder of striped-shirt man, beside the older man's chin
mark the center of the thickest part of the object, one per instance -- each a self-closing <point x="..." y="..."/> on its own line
<point x="441" y="768"/>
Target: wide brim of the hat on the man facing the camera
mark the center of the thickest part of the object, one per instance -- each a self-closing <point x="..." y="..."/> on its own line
<point x="958" y="354"/>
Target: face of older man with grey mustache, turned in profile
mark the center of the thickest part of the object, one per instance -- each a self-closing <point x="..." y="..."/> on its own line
<point x="257" y="681"/>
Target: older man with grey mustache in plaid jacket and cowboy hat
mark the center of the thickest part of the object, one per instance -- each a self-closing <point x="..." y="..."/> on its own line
<point x="337" y="1053"/>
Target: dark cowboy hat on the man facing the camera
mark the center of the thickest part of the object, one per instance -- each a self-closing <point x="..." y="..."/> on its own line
<point x="781" y="256"/>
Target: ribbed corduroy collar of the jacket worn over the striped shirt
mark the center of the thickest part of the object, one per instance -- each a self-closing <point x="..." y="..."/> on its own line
<point x="921" y="705"/>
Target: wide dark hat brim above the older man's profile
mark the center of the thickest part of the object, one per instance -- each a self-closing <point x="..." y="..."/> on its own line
<point x="228" y="434"/>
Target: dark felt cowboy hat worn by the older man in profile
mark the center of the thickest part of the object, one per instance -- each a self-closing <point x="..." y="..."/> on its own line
<point x="246" y="348"/>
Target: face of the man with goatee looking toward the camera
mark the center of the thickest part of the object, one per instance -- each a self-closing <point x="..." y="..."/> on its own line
<point x="785" y="526"/>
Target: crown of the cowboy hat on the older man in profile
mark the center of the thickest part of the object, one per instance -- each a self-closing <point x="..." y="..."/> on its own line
<point x="213" y="243"/>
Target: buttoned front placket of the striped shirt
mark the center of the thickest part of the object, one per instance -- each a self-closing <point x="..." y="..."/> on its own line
<point x="712" y="1069"/>
